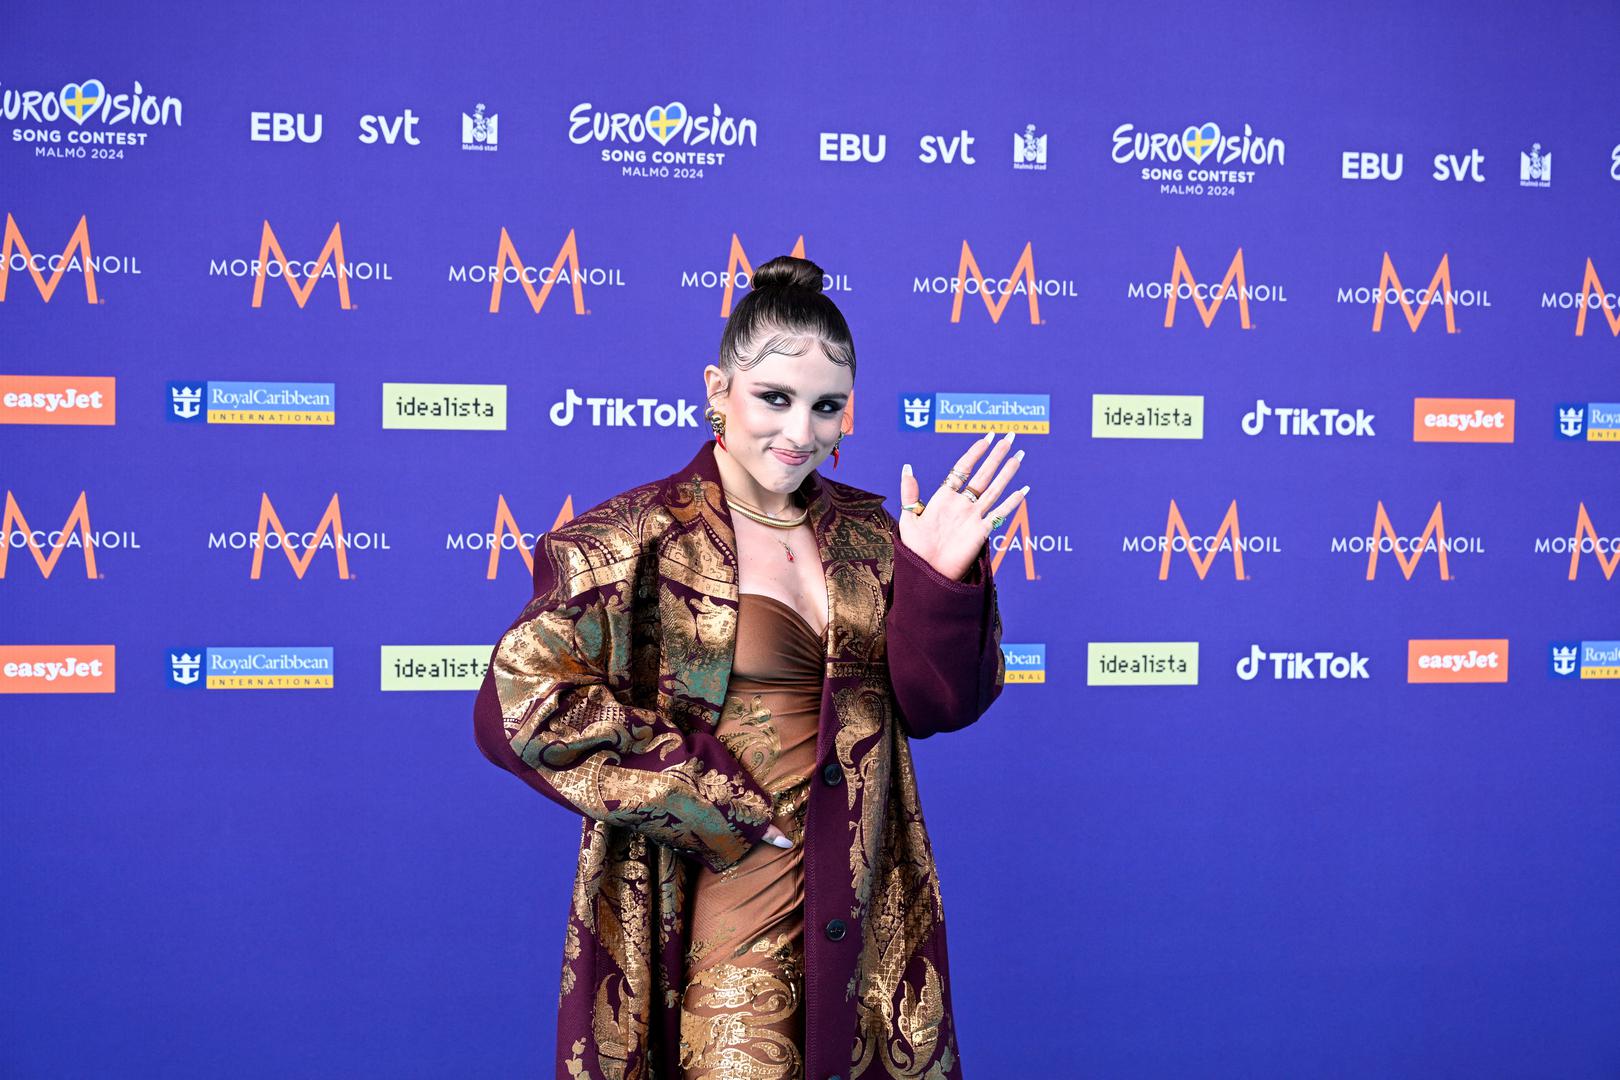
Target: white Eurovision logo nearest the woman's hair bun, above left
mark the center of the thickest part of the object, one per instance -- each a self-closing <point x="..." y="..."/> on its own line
<point x="625" y="138"/>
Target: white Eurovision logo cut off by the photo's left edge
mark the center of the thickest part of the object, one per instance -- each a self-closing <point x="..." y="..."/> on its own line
<point x="114" y="121"/>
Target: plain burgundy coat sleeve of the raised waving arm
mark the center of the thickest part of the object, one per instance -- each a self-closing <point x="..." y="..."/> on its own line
<point x="944" y="644"/>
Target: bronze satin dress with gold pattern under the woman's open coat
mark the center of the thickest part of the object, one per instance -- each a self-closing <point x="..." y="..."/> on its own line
<point x="743" y="1005"/>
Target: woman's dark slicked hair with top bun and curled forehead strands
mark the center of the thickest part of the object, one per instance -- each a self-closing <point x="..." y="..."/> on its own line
<point x="785" y="313"/>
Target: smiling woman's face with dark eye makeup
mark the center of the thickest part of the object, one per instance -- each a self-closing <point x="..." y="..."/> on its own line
<point x="783" y="415"/>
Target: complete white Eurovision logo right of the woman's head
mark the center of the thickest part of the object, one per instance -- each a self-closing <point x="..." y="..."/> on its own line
<point x="1209" y="155"/>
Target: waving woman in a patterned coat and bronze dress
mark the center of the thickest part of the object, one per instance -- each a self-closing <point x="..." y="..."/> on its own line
<point x="722" y="671"/>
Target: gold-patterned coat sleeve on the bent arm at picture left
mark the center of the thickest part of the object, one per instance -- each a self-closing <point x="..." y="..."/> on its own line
<point x="553" y="712"/>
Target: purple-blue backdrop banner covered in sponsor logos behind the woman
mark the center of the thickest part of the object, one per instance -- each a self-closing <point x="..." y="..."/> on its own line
<point x="313" y="320"/>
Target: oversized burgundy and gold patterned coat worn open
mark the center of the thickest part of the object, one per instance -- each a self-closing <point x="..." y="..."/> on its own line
<point x="605" y="695"/>
